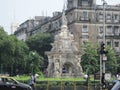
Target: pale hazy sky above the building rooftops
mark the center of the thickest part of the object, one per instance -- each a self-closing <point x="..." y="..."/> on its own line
<point x="18" y="11"/>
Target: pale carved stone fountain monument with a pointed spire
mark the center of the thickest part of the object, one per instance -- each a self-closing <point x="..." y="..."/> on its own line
<point x="64" y="58"/>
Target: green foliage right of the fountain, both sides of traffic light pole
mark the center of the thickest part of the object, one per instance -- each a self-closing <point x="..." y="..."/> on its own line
<point x="90" y="60"/>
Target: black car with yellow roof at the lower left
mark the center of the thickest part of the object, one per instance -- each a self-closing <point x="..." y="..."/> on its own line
<point x="9" y="83"/>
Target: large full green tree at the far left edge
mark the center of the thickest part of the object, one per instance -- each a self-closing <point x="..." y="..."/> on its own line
<point x="13" y="53"/>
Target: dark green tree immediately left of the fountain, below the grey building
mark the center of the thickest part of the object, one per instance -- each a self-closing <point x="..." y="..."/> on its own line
<point x="40" y="43"/>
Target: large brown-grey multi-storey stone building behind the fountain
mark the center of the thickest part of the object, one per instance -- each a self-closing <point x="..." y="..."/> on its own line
<point x="85" y="20"/>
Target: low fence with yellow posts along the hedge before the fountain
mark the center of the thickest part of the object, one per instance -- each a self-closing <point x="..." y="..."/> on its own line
<point x="66" y="85"/>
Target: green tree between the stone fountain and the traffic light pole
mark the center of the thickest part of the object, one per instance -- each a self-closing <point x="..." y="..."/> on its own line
<point x="90" y="58"/>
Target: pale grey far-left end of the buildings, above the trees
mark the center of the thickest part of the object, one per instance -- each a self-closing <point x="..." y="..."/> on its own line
<point x="25" y="29"/>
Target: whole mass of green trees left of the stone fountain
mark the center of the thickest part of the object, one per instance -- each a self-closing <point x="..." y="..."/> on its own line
<point x="17" y="58"/>
